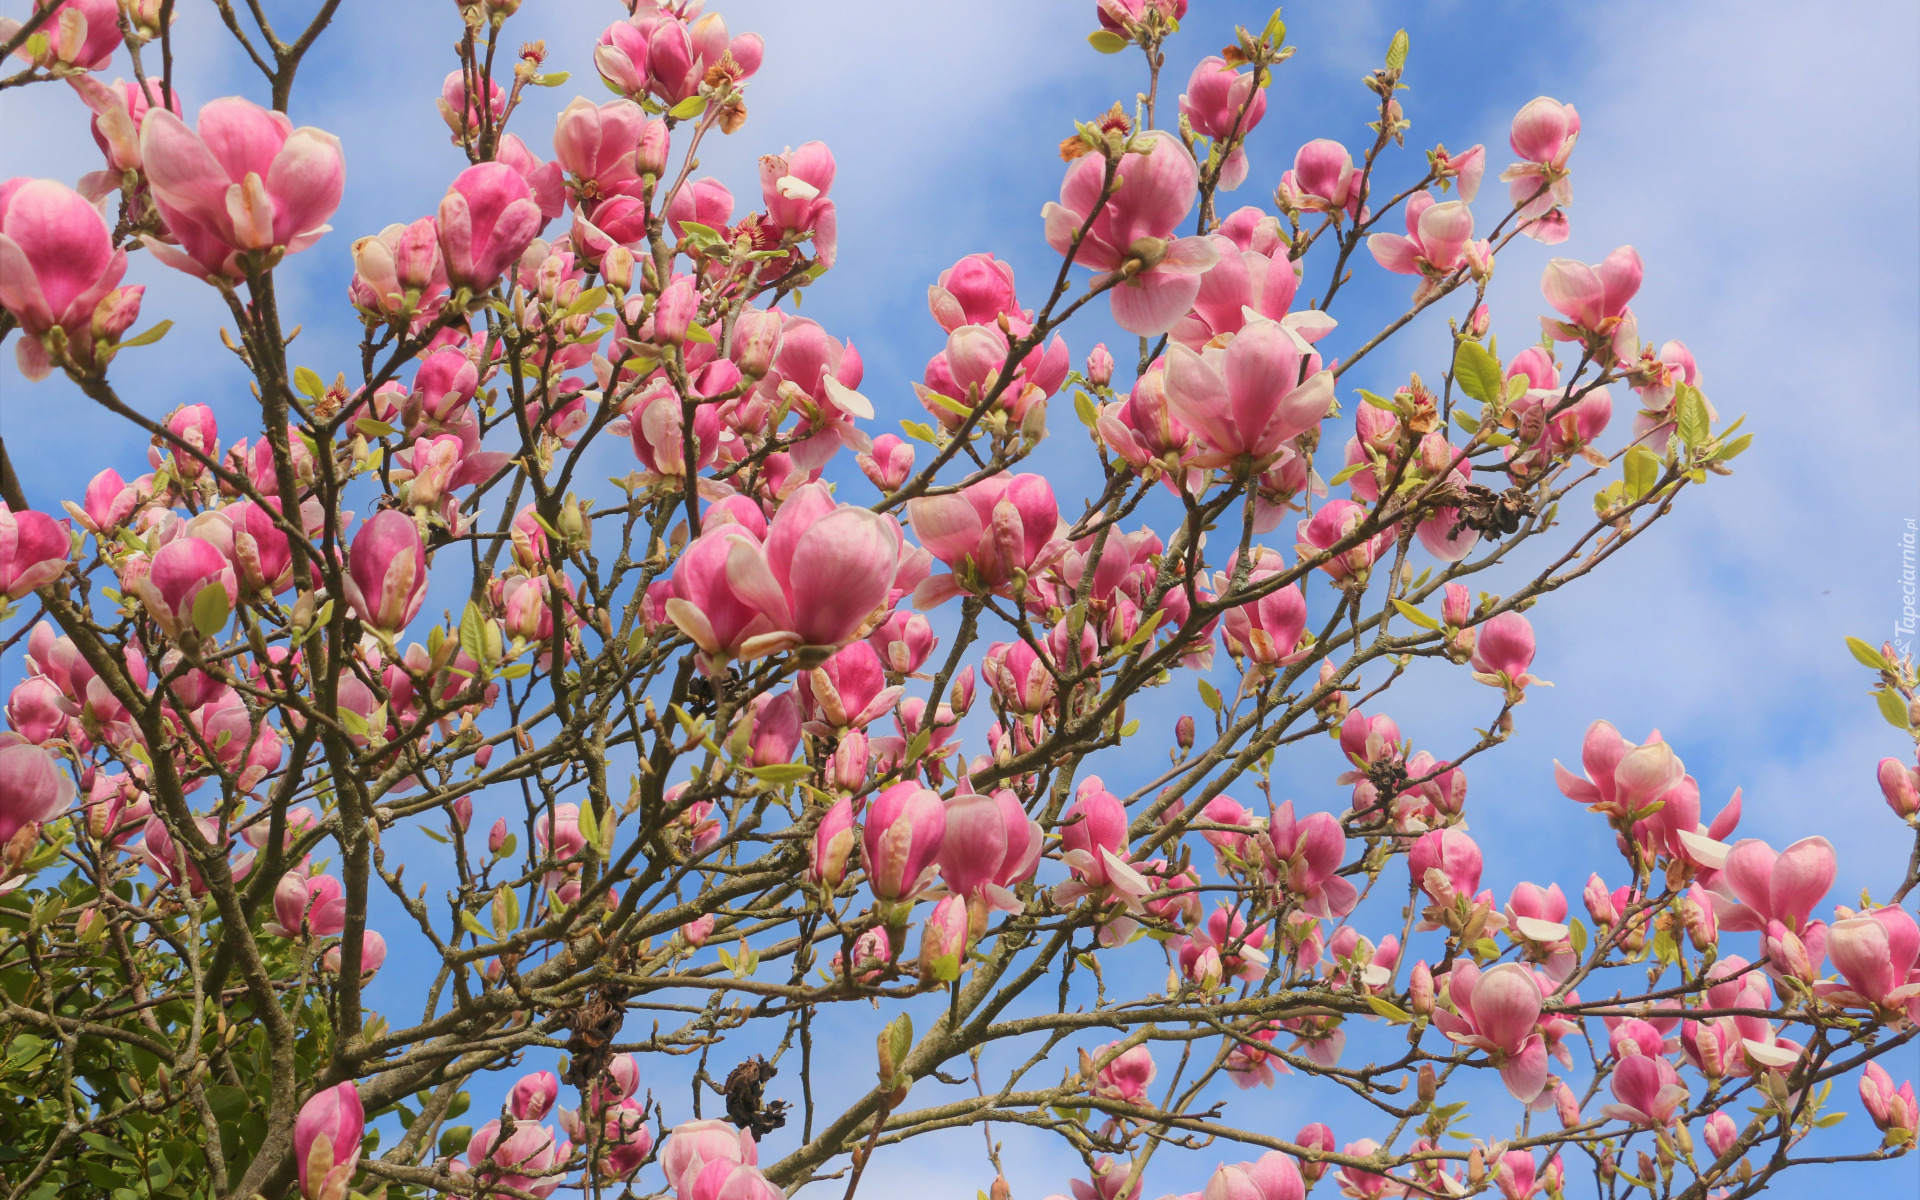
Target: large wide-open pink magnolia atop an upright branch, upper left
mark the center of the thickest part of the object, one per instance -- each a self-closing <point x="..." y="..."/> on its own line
<point x="245" y="189"/>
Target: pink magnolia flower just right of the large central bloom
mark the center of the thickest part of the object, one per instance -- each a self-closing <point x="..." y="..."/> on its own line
<point x="986" y="535"/>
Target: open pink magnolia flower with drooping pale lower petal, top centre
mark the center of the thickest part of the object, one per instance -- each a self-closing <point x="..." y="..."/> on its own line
<point x="1134" y="233"/>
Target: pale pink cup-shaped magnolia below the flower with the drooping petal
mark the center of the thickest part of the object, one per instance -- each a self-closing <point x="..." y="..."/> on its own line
<point x="1253" y="396"/>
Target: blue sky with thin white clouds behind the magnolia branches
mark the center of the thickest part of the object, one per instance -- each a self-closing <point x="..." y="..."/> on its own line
<point x="1762" y="156"/>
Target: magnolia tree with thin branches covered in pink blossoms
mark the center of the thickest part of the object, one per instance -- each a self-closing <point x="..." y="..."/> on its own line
<point x="686" y="780"/>
